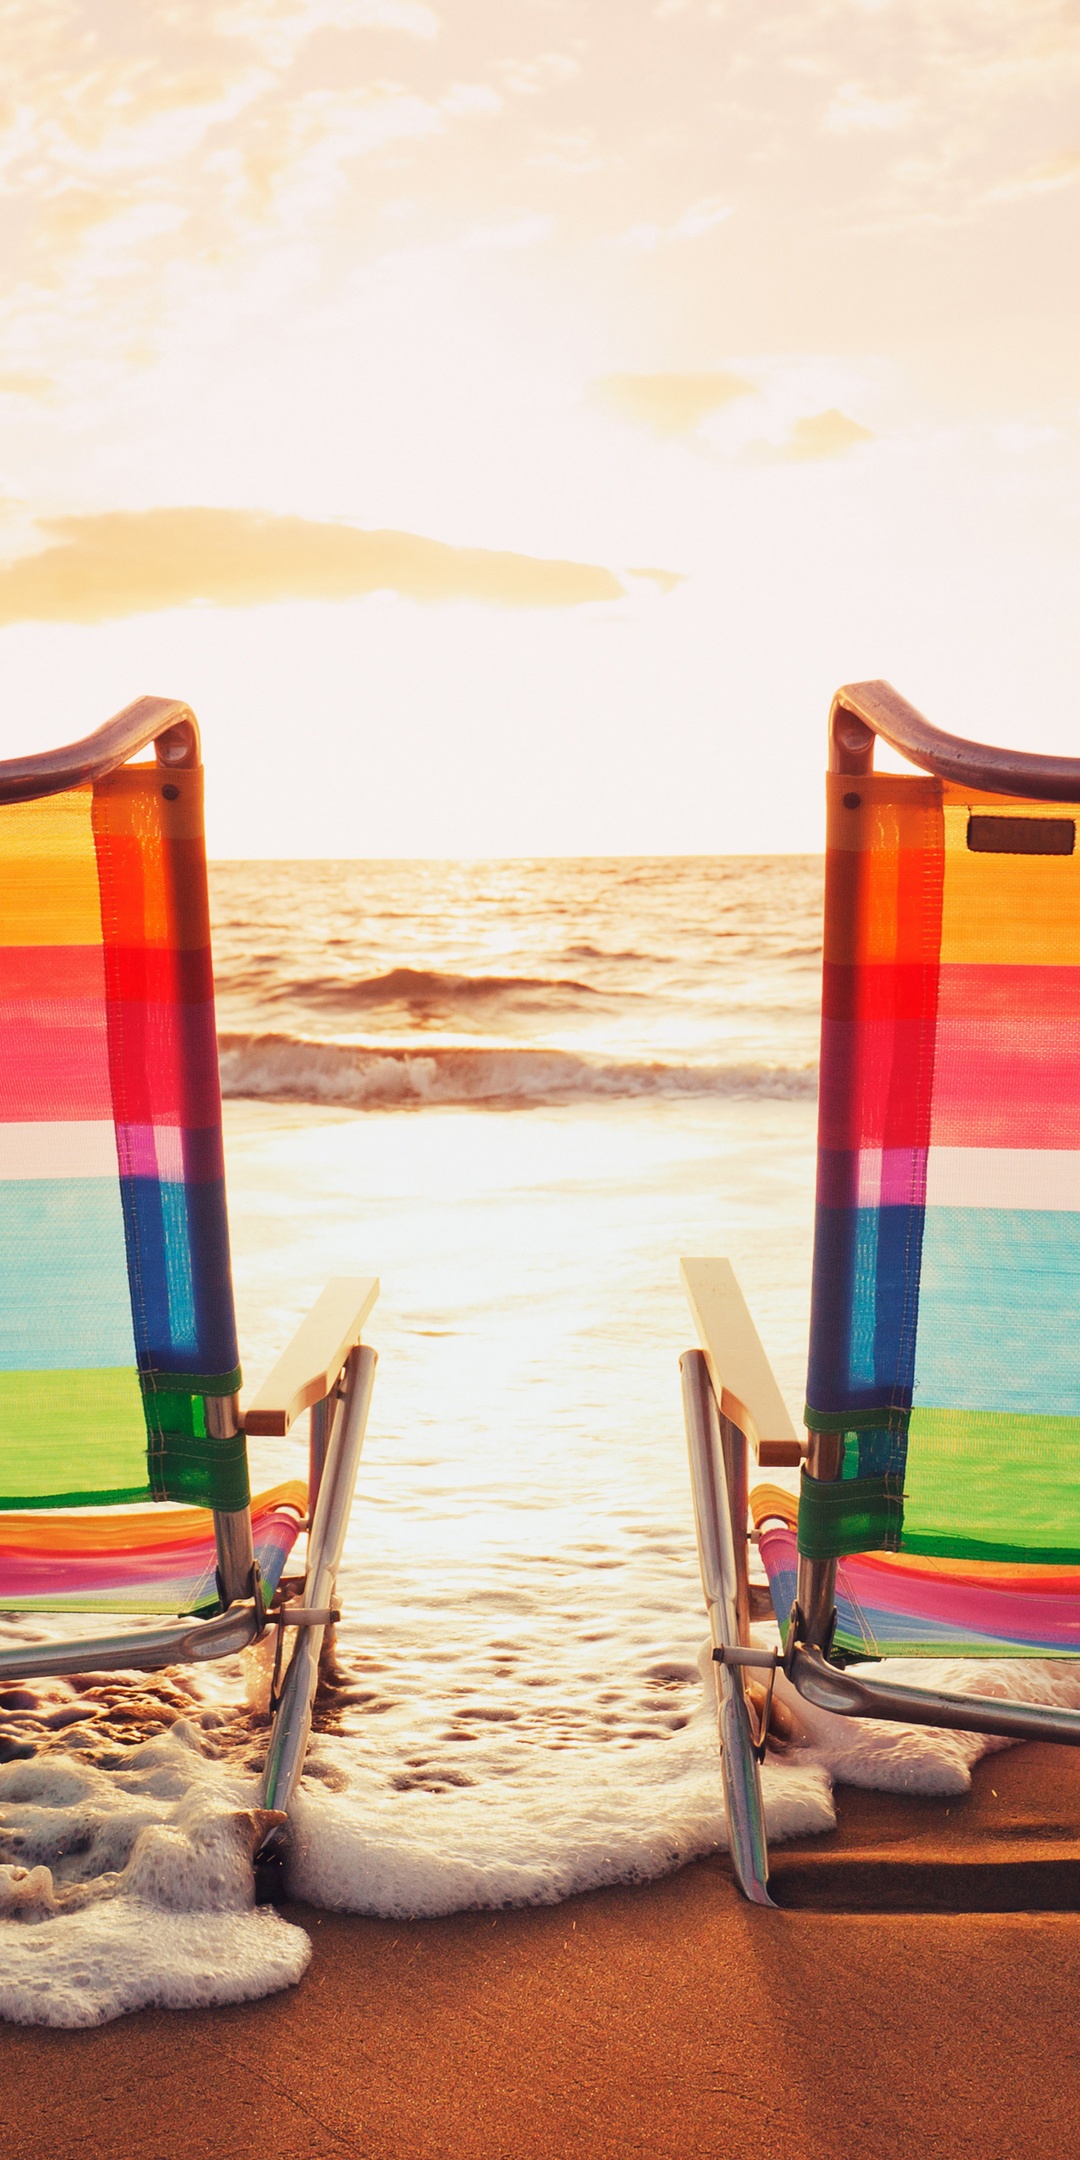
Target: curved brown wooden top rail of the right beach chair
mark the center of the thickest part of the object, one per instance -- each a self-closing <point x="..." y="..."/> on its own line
<point x="867" y="710"/>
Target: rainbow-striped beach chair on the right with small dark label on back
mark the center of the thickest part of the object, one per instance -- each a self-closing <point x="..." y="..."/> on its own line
<point x="941" y="1481"/>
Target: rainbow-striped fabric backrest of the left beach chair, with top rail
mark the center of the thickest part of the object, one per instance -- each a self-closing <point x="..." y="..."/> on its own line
<point x="118" y="1334"/>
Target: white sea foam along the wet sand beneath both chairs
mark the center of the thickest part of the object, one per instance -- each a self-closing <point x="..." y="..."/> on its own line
<point x="131" y="1887"/>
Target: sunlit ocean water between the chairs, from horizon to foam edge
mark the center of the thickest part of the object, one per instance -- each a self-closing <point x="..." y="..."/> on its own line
<point x="517" y="1092"/>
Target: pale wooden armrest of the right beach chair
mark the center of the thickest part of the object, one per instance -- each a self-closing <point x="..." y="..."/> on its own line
<point x="738" y="1366"/>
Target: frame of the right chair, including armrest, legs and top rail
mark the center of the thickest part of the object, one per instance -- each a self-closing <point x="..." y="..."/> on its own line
<point x="733" y="1405"/>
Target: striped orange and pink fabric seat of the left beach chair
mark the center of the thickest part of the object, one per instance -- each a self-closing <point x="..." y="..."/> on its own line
<point x="157" y="1561"/>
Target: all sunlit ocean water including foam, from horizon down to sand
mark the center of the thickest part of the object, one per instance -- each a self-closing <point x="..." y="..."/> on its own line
<point x="515" y="1092"/>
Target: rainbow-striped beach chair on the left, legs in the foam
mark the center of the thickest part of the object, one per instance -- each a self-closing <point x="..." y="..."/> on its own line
<point x="124" y="1479"/>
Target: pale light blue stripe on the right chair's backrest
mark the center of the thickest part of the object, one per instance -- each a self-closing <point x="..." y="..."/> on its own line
<point x="999" y="1325"/>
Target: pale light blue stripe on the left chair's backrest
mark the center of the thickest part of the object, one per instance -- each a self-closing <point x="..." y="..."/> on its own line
<point x="64" y="1275"/>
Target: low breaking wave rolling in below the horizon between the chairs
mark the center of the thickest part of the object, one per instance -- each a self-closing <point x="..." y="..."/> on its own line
<point x="295" y="1068"/>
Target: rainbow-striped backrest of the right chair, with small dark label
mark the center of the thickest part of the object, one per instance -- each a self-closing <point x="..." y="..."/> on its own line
<point x="945" y="1340"/>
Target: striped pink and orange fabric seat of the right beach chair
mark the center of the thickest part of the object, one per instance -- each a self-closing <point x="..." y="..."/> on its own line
<point x="904" y="1606"/>
